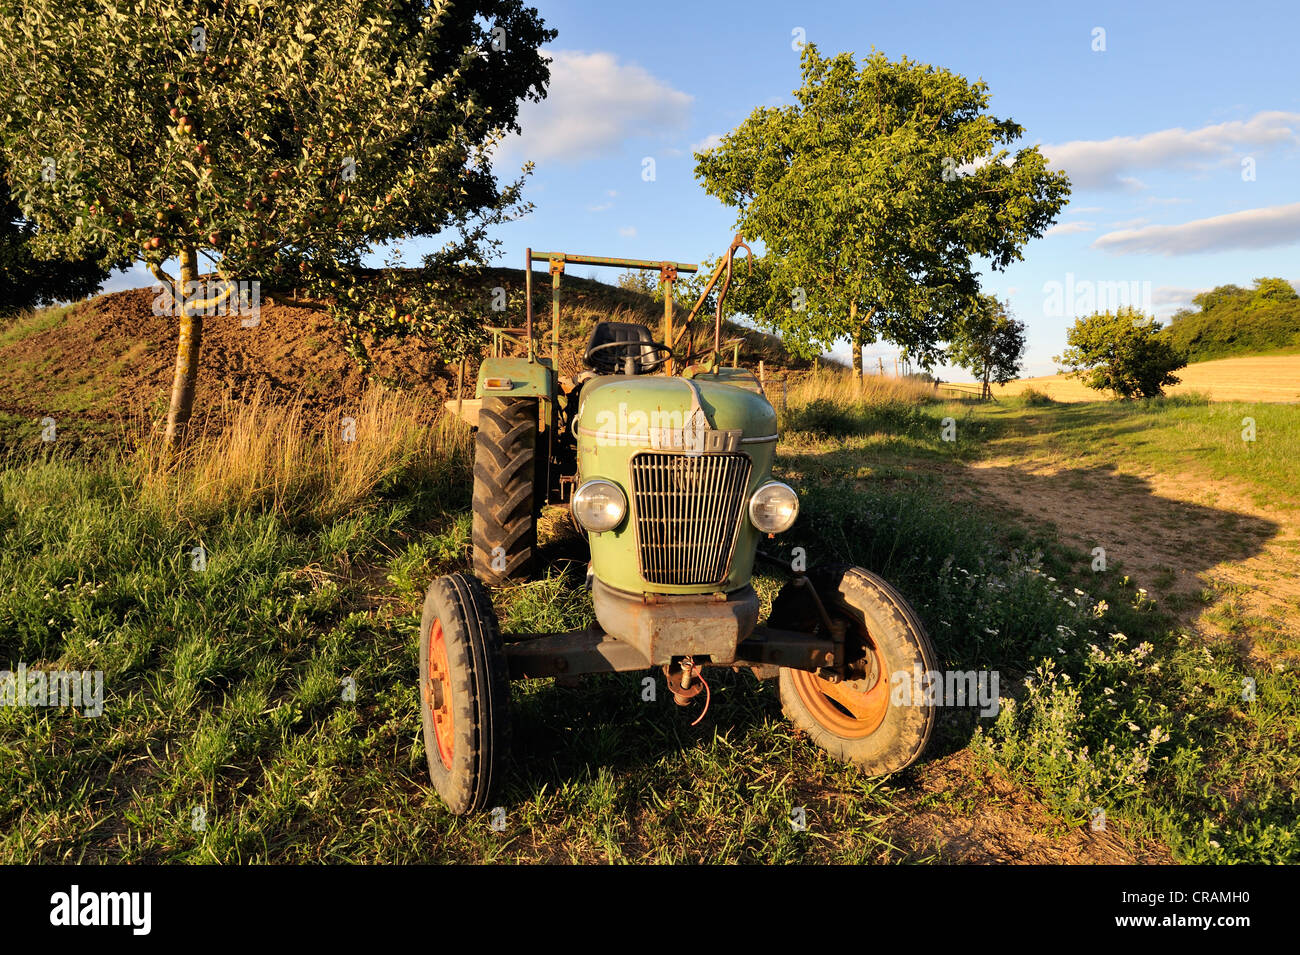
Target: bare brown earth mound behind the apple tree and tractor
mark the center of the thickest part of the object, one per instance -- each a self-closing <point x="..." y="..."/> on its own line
<point x="110" y="358"/>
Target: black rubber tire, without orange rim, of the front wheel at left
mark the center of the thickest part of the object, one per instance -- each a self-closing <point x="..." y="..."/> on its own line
<point x="480" y="693"/>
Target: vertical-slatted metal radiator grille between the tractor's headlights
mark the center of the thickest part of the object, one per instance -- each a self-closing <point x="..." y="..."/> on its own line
<point x="688" y="511"/>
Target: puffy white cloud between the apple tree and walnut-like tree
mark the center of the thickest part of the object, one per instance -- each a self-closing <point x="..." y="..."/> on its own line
<point x="596" y="103"/>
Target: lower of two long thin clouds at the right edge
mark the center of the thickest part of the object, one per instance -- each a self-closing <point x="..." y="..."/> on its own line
<point x="1276" y="225"/>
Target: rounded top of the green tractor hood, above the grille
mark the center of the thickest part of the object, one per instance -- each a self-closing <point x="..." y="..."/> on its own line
<point x="677" y="414"/>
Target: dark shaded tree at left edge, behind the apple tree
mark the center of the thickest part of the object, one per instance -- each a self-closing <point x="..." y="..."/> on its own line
<point x="31" y="283"/>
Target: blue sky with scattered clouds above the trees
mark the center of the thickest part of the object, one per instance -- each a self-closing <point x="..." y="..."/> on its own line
<point x="1154" y="131"/>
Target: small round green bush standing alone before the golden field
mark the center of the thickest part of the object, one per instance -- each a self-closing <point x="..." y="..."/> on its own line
<point x="1123" y="353"/>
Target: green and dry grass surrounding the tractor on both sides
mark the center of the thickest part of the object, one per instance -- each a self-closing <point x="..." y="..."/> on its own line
<point x="228" y="687"/>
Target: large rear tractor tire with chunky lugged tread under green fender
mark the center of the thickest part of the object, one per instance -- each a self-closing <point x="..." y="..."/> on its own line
<point x="506" y="496"/>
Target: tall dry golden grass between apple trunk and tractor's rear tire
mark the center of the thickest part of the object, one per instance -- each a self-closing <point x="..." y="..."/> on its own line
<point x="265" y="454"/>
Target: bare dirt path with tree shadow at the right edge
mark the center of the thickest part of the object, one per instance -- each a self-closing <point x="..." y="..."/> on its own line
<point x="1227" y="567"/>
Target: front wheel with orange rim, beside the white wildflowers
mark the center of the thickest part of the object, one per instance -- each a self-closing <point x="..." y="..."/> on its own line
<point x="860" y="720"/>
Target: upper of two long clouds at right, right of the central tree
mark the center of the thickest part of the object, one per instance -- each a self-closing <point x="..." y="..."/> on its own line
<point x="1110" y="163"/>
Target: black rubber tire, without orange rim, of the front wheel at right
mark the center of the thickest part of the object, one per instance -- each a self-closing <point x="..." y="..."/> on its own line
<point x="902" y="639"/>
